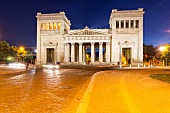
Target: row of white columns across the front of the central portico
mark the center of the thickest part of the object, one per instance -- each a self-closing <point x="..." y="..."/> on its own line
<point x="81" y="52"/>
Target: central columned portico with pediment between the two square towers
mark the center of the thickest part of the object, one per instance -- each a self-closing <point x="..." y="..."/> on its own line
<point x="77" y="42"/>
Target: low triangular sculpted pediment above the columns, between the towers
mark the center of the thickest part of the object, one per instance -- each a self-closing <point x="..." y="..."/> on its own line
<point x="87" y="31"/>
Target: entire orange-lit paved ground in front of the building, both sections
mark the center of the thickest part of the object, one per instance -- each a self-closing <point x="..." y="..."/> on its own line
<point x="128" y="90"/>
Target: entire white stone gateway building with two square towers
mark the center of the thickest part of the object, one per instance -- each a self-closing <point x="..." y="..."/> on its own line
<point x="122" y="43"/>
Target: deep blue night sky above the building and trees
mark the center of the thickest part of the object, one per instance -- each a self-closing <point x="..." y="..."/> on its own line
<point x="18" y="21"/>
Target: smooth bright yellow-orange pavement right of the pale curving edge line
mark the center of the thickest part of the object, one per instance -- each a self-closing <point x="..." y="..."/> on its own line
<point x="126" y="91"/>
